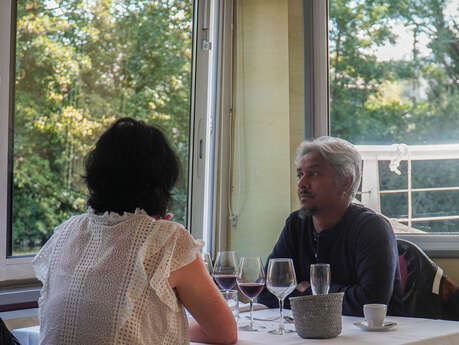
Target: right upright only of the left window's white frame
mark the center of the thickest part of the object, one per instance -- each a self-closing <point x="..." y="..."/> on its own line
<point x="201" y="208"/>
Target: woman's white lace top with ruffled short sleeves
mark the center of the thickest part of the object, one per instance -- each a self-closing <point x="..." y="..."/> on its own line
<point x="105" y="281"/>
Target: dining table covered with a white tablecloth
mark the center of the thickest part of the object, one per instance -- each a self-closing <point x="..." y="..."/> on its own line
<point x="412" y="331"/>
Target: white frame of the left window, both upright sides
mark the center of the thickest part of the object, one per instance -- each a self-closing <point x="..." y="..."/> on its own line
<point x="203" y="108"/>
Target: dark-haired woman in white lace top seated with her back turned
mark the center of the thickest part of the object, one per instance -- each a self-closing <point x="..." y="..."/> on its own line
<point x="121" y="273"/>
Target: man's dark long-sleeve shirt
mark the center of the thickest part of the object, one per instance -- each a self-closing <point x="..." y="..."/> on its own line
<point x="361" y="250"/>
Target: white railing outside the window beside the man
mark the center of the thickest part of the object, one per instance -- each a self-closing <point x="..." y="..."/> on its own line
<point x="372" y="154"/>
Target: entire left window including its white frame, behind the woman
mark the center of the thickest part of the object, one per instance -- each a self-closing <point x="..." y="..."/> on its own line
<point x="78" y="65"/>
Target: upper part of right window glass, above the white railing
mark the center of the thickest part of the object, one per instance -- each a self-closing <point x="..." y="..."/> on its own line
<point x="394" y="71"/>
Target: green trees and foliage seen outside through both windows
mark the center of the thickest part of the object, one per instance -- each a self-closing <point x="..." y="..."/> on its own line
<point x="80" y="64"/>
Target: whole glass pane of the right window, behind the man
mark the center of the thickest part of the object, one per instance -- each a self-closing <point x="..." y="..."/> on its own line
<point x="394" y="68"/>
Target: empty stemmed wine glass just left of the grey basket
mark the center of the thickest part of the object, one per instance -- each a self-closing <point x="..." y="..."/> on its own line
<point x="281" y="281"/>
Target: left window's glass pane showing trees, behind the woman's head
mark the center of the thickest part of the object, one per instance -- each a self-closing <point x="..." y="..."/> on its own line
<point x="81" y="64"/>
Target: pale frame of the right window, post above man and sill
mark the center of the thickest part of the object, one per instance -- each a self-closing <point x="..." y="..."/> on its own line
<point x="434" y="245"/>
